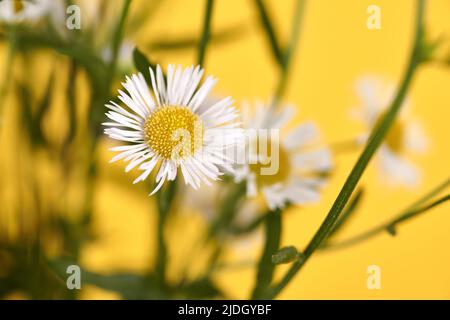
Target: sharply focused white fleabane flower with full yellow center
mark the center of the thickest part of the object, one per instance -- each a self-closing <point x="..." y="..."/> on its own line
<point x="171" y="127"/>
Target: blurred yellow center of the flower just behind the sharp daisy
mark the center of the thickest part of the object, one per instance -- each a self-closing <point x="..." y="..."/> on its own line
<point x="268" y="160"/>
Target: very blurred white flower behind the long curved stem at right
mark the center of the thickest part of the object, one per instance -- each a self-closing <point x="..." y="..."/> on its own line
<point x="404" y="138"/>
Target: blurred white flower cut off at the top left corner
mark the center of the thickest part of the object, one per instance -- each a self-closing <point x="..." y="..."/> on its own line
<point x="18" y="11"/>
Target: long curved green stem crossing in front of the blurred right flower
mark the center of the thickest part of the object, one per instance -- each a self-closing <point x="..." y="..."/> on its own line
<point x="374" y="142"/>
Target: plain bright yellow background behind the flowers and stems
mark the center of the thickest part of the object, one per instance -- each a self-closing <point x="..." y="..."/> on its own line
<point x="334" y="50"/>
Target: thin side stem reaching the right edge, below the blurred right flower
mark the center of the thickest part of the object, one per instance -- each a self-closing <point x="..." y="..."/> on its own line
<point x="412" y="211"/>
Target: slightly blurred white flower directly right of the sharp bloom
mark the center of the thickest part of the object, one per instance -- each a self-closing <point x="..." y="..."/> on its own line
<point x="286" y="167"/>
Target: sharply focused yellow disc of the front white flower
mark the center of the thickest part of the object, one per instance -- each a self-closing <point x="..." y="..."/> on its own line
<point x="173" y="132"/>
